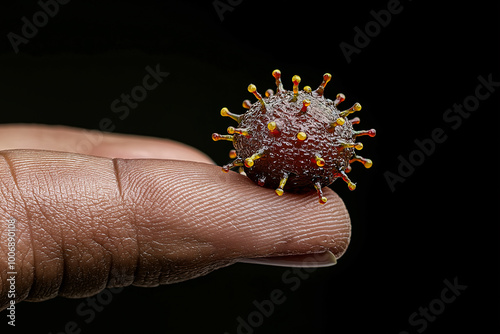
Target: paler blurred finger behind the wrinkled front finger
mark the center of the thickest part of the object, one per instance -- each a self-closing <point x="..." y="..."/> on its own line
<point x="93" y="142"/>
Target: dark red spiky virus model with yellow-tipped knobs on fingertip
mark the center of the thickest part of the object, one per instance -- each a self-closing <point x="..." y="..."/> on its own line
<point x="295" y="141"/>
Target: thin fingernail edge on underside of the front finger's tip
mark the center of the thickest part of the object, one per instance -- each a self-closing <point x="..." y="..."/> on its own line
<point x="316" y="260"/>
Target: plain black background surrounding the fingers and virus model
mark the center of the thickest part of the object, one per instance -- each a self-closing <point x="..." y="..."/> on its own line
<point x="440" y="224"/>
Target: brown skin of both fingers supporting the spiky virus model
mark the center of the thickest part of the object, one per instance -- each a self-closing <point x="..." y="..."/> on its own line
<point x="100" y="210"/>
